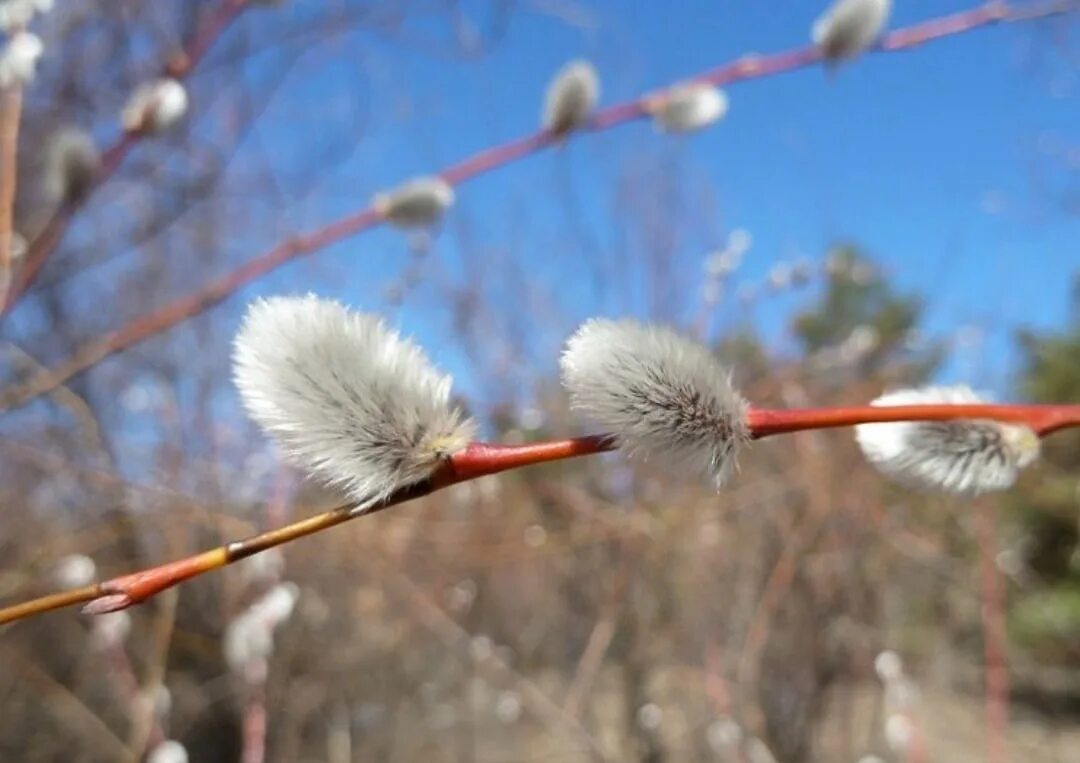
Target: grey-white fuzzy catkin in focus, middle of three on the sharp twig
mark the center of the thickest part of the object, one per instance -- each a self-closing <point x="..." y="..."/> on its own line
<point x="664" y="397"/>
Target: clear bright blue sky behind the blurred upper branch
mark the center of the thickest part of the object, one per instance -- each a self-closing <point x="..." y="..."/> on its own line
<point x="947" y="163"/>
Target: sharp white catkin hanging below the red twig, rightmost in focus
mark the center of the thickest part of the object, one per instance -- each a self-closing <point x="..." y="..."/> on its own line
<point x="957" y="457"/>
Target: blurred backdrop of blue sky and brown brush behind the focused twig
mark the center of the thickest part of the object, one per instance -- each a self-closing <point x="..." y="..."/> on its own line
<point x="907" y="218"/>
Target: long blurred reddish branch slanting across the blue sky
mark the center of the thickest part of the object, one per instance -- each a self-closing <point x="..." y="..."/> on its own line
<point x="750" y="68"/>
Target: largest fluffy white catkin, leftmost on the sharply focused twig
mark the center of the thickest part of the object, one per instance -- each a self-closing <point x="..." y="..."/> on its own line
<point x="345" y="396"/>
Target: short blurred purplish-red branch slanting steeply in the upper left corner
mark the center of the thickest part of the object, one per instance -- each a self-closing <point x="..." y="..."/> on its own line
<point x="179" y="68"/>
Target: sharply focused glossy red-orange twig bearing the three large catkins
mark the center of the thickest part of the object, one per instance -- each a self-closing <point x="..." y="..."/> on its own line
<point x="481" y="460"/>
